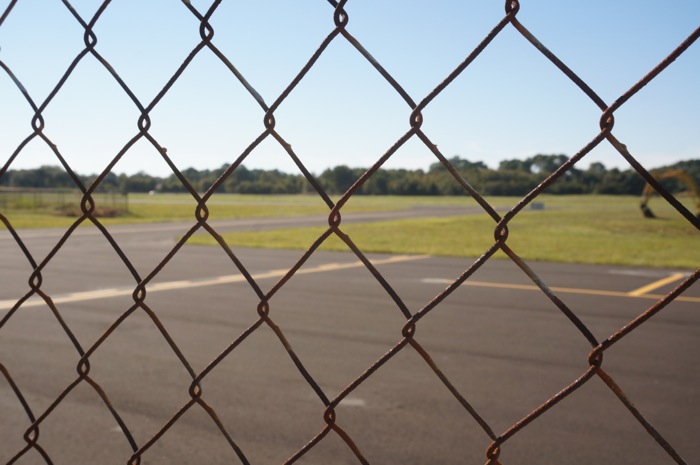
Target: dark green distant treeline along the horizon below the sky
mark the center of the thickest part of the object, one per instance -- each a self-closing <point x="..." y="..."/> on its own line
<point x="512" y="177"/>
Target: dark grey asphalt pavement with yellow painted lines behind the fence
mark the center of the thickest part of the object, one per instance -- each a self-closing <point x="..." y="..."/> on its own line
<point x="504" y="346"/>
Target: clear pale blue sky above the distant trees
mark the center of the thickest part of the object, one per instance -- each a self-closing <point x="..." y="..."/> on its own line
<point x="510" y="103"/>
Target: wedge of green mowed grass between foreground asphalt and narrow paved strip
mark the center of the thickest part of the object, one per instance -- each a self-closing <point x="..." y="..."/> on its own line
<point x="611" y="236"/>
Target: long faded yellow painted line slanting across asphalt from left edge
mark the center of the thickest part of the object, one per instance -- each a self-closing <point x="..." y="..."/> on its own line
<point x="160" y="287"/>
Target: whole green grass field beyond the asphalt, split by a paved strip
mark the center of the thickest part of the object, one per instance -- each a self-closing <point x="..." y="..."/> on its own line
<point x="576" y="229"/>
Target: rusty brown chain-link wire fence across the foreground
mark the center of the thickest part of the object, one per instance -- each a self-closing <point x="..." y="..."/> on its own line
<point x="339" y="31"/>
